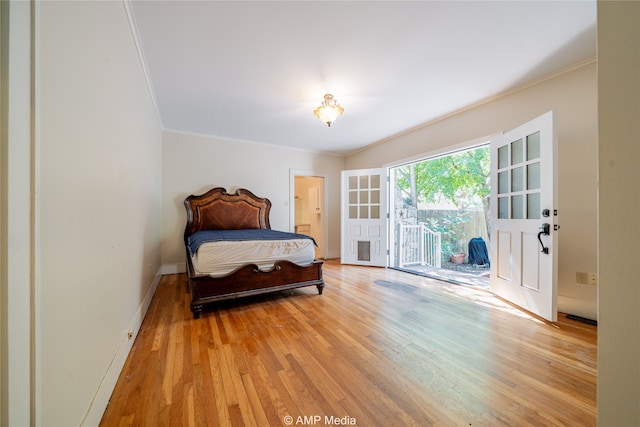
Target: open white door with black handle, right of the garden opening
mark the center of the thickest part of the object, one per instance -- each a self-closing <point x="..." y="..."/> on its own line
<point x="524" y="241"/>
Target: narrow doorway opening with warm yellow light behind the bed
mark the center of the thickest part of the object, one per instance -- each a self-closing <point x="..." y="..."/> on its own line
<point x="308" y="215"/>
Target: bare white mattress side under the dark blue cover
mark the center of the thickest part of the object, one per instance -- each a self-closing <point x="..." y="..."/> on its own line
<point x="220" y="258"/>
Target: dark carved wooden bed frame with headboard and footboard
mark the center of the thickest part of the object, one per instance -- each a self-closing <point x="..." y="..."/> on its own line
<point x="219" y="210"/>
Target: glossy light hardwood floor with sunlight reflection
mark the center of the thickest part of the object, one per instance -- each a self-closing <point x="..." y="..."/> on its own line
<point x="378" y="348"/>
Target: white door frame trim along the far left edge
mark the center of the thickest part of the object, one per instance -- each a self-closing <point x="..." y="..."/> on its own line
<point x="19" y="331"/>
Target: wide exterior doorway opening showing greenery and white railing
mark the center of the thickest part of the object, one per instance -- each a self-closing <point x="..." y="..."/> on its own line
<point x="440" y="221"/>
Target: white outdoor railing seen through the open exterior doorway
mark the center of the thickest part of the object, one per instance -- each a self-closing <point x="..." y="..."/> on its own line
<point x="420" y="245"/>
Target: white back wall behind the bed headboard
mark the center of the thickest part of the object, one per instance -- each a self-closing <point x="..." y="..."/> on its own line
<point x="193" y="164"/>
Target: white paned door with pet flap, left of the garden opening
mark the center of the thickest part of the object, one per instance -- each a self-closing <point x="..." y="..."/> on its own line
<point x="364" y="217"/>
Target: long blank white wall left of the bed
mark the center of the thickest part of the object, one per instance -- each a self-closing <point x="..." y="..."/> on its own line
<point x="98" y="200"/>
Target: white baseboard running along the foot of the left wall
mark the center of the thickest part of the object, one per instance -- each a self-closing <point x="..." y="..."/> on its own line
<point x="105" y="389"/>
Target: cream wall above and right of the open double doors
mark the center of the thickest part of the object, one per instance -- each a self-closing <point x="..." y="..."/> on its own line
<point x="573" y="95"/>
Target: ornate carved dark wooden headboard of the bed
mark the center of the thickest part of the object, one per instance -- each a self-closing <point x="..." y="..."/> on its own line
<point x="218" y="210"/>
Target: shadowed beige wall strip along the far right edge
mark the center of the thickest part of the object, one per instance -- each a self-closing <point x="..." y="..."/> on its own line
<point x="619" y="212"/>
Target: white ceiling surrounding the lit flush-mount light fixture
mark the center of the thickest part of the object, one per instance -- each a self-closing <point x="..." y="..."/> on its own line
<point x="256" y="70"/>
